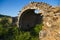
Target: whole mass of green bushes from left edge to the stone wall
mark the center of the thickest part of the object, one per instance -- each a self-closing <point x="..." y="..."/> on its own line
<point x="8" y="32"/>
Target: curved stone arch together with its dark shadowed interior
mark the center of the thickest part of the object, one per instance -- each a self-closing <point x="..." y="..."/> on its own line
<point x="27" y="17"/>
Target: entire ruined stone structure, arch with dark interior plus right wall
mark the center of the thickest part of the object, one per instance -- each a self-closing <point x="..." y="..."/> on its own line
<point x="50" y="16"/>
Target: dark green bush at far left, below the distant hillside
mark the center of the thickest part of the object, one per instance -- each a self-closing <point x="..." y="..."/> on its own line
<point x="8" y="32"/>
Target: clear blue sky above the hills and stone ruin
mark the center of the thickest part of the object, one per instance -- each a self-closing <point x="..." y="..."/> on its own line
<point x="12" y="7"/>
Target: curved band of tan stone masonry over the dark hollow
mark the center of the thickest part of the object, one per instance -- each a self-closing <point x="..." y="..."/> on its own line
<point x="34" y="5"/>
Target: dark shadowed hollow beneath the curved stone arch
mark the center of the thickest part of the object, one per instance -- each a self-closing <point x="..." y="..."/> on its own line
<point x="29" y="19"/>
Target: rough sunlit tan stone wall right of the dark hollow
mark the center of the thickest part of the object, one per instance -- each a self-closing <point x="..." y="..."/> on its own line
<point x="51" y="28"/>
